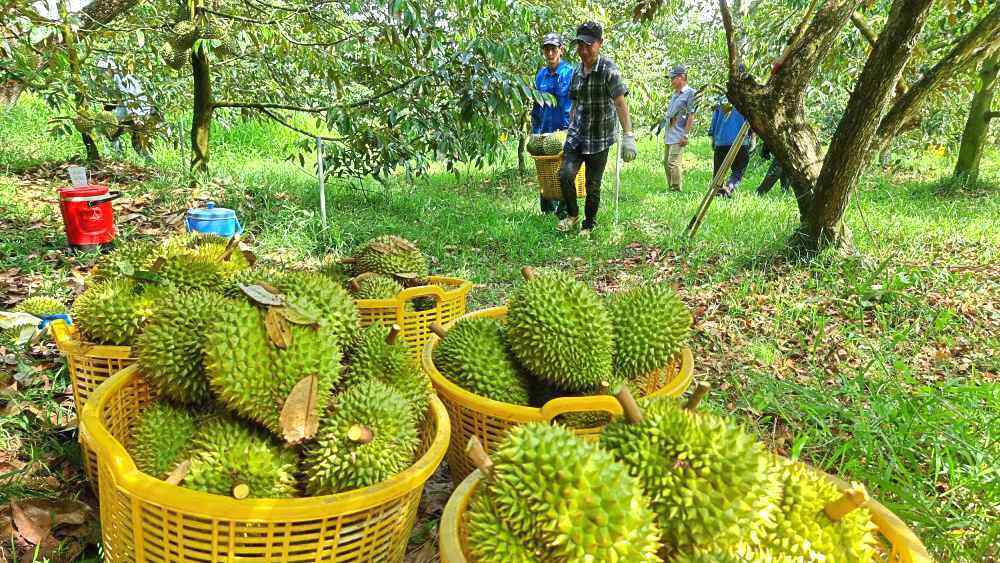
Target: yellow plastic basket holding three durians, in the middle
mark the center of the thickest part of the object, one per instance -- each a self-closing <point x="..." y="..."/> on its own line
<point x="489" y="420"/>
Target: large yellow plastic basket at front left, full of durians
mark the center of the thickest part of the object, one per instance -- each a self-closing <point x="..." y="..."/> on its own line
<point x="145" y="519"/>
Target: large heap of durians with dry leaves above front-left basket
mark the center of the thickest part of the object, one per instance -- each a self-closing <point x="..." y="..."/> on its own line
<point x="266" y="386"/>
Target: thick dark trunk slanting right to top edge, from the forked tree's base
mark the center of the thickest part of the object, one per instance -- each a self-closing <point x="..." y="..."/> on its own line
<point x="851" y="144"/>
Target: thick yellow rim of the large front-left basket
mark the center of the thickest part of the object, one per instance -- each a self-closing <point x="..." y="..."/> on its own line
<point x="127" y="476"/>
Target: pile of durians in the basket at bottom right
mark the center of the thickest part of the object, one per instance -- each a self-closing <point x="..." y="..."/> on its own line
<point x="663" y="483"/>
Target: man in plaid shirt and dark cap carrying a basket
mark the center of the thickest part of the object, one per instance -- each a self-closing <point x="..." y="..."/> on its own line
<point x="598" y="94"/>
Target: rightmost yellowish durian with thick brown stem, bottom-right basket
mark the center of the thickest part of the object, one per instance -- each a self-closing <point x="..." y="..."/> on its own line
<point x="804" y="529"/>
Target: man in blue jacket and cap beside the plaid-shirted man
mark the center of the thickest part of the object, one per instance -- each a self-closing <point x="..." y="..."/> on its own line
<point x="554" y="78"/>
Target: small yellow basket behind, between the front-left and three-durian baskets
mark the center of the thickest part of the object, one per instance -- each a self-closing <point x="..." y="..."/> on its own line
<point x="451" y="298"/>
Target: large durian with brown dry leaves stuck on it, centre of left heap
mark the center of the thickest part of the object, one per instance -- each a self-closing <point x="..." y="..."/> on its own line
<point x="252" y="376"/>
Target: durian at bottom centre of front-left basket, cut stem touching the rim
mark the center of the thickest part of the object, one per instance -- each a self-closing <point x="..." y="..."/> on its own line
<point x="229" y="453"/>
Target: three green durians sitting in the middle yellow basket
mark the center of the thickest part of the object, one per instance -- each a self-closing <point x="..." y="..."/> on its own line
<point x="560" y="338"/>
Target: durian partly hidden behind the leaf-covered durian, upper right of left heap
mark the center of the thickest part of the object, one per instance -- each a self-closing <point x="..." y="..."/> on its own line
<point x="316" y="292"/>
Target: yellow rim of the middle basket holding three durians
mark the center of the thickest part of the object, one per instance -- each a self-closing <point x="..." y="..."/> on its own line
<point x="527" y="413"/>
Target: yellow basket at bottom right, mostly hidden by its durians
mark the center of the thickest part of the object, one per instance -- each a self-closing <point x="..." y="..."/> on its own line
<point x="903" y="544"/>
